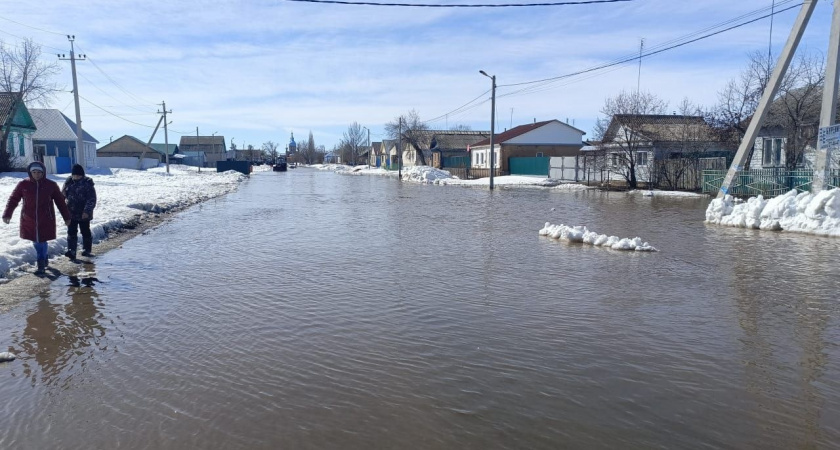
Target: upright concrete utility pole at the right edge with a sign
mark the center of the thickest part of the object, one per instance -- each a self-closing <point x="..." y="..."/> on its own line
<point x="828" y="112"/>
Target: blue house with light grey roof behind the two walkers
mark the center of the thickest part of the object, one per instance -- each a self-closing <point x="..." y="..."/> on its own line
<point x="54" y="142"/>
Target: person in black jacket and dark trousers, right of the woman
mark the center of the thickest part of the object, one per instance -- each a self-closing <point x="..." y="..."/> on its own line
<point x="81" y="199"/>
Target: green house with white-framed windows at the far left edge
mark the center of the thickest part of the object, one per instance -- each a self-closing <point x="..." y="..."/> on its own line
<point x="17" y="125"/>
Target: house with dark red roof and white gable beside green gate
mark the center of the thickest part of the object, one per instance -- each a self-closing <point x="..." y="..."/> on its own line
<point x="537" y="140"/>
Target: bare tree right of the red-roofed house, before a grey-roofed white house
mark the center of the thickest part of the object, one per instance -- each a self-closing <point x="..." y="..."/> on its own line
<point x="620" y="131"/>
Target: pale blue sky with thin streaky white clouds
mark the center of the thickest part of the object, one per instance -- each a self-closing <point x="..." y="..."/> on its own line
<point x="258" y="70"/>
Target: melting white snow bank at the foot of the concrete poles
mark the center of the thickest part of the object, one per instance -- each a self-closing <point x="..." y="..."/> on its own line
<point x="799" y="212"/>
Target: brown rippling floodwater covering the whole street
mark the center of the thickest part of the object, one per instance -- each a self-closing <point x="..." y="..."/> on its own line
<point x="310" y="310"/>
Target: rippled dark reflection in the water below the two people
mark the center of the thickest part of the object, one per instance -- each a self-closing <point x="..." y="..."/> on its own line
<point x="59" y="339"/>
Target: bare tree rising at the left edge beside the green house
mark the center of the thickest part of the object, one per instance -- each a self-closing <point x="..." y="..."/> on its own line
<point x="26" y="79"/>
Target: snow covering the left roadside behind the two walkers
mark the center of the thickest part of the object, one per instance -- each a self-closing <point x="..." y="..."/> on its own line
<point x="123" y="196"/>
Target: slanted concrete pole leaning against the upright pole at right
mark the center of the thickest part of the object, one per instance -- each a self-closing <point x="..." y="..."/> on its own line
<point x="769" y="93"/>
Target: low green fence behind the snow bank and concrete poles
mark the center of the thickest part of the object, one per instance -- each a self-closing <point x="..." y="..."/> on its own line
<point x="765" y="182"/>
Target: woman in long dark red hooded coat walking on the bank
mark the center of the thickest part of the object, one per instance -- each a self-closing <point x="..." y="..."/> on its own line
<point x="37" y="220"/>
